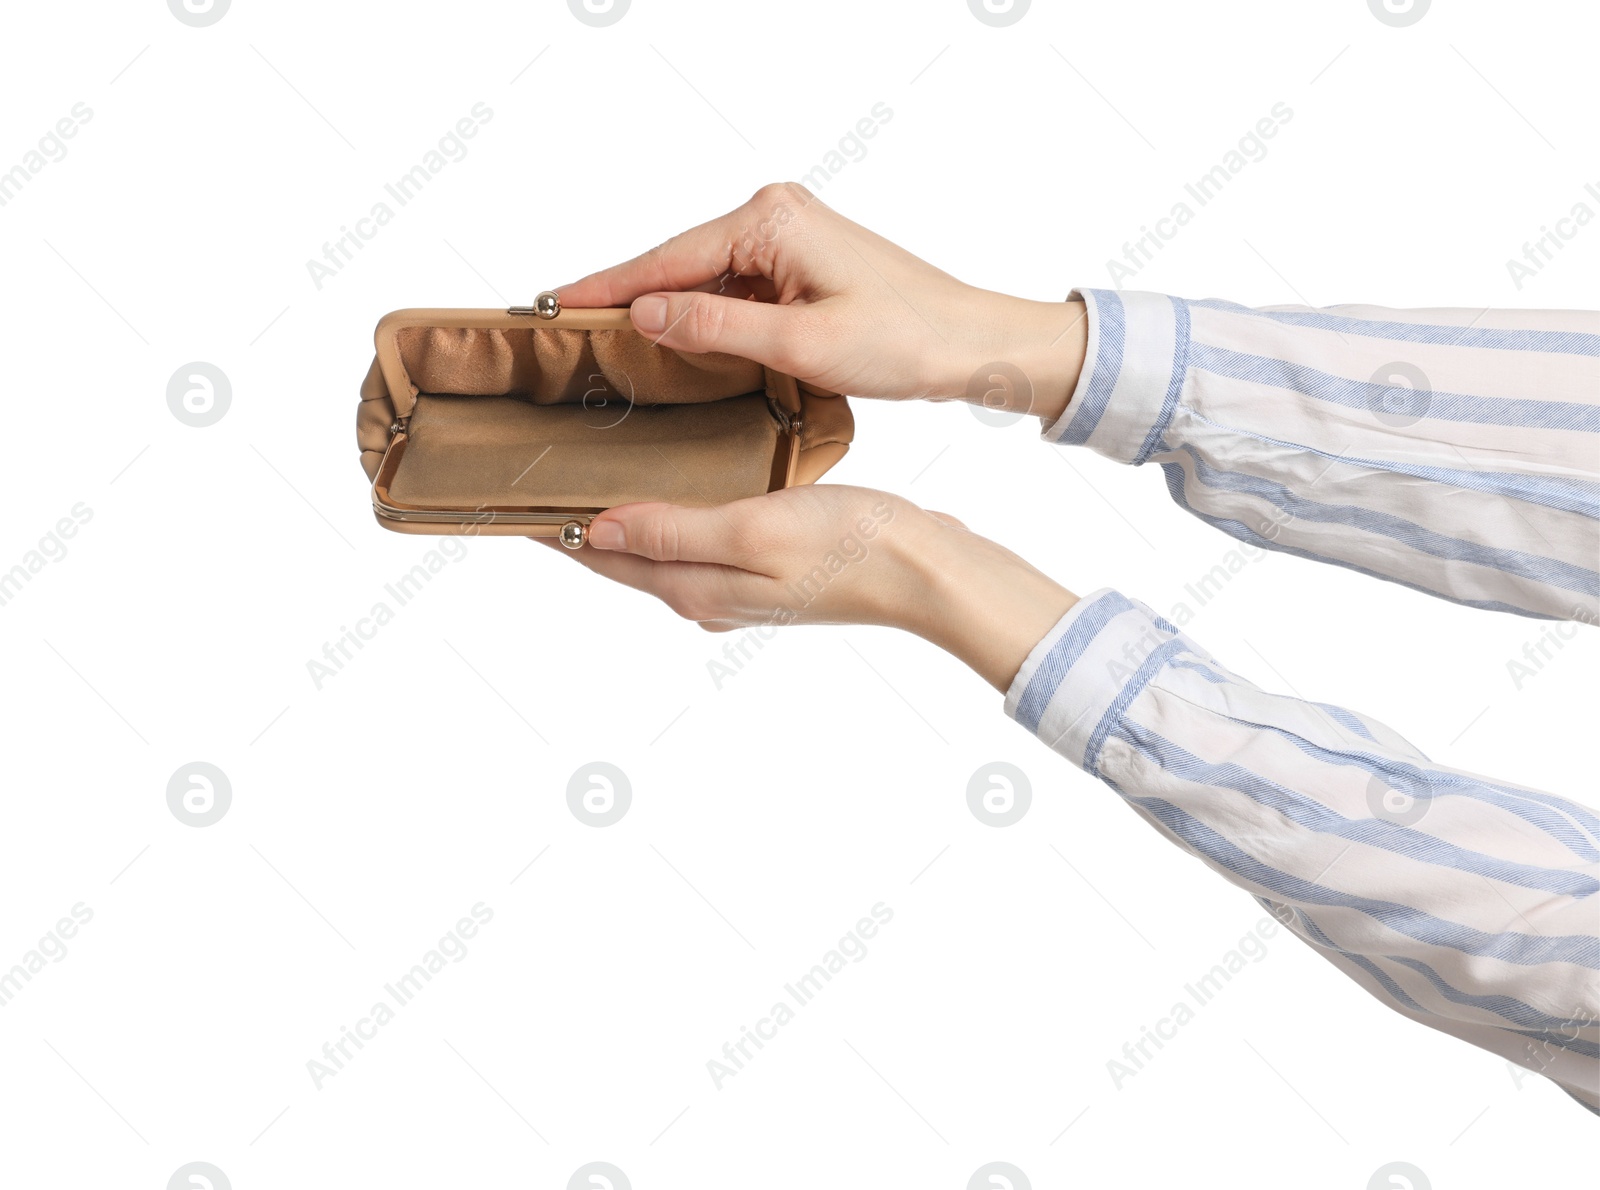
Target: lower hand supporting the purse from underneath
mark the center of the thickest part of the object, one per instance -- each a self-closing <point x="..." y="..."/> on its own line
<point x="833" y="556"/>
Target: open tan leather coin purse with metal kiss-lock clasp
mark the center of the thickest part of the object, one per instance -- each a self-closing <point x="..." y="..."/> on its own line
<point x="534" y="421"/>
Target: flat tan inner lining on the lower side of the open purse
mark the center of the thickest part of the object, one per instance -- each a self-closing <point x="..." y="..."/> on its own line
<point x="476" y="452"/>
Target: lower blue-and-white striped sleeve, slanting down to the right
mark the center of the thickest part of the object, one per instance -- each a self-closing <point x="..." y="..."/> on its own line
<point x="1463" y="903"/>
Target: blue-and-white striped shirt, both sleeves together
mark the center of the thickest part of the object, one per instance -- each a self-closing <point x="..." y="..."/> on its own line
<point x="1454" y="452"/>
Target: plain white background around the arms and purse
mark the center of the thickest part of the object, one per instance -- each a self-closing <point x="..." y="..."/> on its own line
<point x="831" y="773"/>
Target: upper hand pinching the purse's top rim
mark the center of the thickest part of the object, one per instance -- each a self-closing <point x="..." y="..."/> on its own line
<point x="791" y="284"/>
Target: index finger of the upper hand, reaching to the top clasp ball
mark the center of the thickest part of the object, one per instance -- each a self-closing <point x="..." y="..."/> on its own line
<point x="694" y="257"/>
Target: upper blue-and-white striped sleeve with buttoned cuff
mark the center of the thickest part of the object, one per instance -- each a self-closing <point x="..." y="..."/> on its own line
<point x="1454" y="452"/>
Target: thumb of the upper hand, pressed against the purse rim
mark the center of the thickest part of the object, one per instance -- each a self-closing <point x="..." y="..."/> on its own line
<point x="708" y="322"/>
